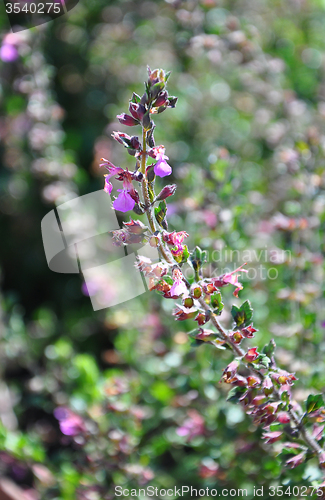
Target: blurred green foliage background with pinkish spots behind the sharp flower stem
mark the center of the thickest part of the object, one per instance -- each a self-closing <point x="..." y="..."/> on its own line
<point x="247" y="143"/>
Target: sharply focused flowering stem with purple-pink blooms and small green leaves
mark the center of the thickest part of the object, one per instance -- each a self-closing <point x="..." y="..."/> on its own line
<point x="257" y="383"/>
